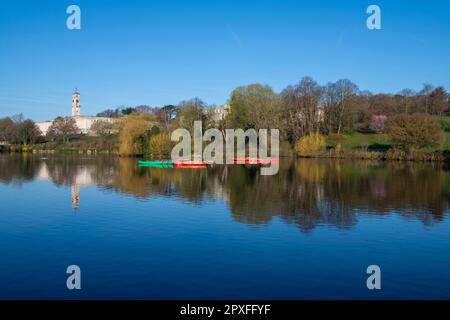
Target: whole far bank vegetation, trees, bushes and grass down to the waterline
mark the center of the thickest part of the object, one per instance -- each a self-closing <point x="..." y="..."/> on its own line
<point x="333" y="120"/>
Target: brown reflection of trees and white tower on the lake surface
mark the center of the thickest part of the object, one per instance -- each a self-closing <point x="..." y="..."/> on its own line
<point x="304" y="192"/>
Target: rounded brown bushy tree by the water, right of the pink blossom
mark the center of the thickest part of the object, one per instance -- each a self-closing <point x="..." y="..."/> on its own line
<point x="415" y="131"/>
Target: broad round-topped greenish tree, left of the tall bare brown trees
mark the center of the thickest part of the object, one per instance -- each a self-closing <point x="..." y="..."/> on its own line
<point x="254" y="106"/>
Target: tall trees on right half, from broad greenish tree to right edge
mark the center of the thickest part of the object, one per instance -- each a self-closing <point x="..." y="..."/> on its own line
<point x="338" y="107"/>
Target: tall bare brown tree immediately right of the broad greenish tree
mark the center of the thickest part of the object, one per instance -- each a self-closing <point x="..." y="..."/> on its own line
<point x="302" y="114"/>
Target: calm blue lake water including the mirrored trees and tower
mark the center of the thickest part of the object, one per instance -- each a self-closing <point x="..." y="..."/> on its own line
<point x="224" y="232"/>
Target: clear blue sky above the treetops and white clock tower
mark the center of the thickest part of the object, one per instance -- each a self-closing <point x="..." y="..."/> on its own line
<point x="161" y="52"/>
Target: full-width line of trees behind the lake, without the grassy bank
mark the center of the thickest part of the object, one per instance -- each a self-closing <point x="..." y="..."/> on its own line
<point x="299" y="111"/>
